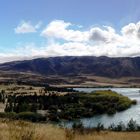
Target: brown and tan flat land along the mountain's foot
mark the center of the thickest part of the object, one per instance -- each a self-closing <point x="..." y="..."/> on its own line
<point x="9" y="77"/>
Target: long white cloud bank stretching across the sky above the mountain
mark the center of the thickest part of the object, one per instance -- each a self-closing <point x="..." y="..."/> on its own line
<point x="94" y="42"/>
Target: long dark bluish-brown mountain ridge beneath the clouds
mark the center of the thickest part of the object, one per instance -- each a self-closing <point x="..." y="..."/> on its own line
<point x="75" y="65"/>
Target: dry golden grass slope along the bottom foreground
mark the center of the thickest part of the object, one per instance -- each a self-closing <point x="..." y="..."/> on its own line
<point x="20" y="130"/>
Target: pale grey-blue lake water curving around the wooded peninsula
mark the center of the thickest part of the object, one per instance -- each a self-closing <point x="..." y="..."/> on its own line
<point x="124" y="116"/>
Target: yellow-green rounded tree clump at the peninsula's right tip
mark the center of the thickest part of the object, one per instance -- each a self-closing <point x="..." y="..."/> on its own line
<point x="108" y="101"/>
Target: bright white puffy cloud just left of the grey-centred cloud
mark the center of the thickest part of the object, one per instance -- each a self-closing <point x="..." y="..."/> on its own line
<point x="60" y="29"/>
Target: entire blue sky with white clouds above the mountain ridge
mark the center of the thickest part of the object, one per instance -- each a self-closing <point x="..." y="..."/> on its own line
<point x="47" y="28"/>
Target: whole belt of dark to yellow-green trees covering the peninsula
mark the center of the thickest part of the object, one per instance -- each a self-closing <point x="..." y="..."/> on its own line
<point x="67" y="106"/>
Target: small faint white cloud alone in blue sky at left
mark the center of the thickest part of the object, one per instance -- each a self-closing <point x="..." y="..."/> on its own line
<point x="26" y="27"/>
